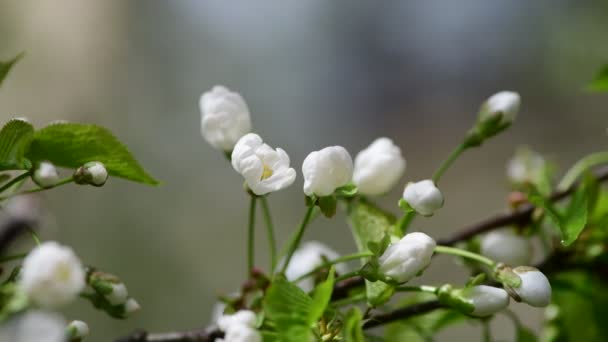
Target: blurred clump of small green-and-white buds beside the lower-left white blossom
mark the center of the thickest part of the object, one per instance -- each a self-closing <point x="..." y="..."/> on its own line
<point x="110" y="294"/>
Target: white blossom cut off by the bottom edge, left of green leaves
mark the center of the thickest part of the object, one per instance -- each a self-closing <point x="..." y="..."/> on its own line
<point x="239" y="327"/>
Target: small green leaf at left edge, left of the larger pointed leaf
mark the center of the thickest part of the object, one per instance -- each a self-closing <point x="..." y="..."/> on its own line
<point x="15" y="139"/>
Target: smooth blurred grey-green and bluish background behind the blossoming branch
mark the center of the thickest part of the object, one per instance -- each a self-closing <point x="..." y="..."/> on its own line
<point x="314" y="73"/>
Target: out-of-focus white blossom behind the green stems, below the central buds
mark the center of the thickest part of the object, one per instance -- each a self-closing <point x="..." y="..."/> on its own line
<point x="309" y="256"/>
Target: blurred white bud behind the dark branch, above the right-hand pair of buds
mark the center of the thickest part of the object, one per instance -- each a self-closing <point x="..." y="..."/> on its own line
<point x="505" y="246"/>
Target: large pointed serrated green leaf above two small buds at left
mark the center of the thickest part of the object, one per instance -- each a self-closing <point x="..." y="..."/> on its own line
<point x="72" y="145"/>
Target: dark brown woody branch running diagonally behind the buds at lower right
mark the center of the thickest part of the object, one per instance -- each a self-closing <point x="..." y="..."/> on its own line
<point x="342" y="289"/>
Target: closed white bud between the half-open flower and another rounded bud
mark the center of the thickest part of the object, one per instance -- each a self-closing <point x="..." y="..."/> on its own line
<point x="326" y="170"/>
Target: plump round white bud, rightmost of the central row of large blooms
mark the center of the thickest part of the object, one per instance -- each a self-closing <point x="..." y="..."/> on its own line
<point x="378" y="167"/>
